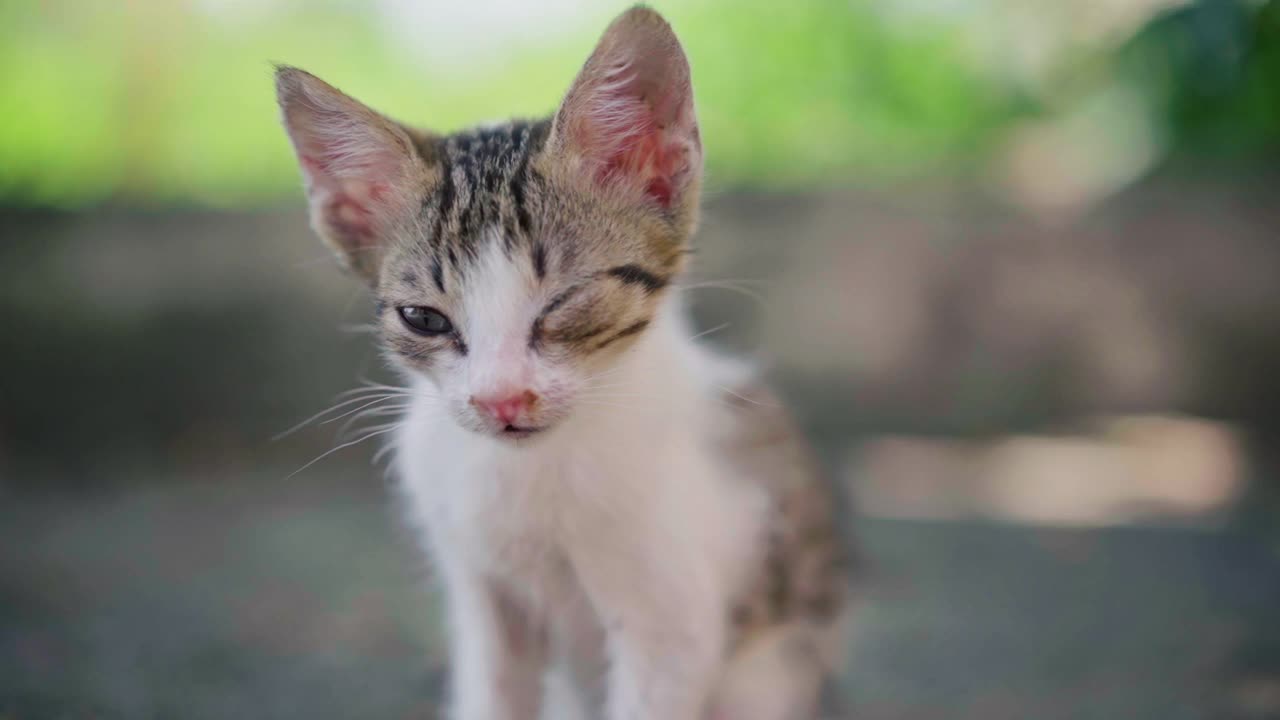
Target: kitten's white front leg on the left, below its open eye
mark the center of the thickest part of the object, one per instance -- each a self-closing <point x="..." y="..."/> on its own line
<point x="497" y="657"/>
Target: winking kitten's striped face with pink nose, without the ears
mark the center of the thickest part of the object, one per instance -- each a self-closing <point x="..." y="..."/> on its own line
<point x="519" y="284"/>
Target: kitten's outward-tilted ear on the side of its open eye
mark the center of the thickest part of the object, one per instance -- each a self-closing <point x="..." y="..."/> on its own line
<point x="363" y="171"/>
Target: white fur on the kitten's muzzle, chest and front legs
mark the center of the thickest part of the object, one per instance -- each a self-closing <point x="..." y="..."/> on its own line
<point x="610" y="544"/>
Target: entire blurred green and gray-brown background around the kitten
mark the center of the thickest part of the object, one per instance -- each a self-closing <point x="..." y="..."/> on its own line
<point x="1014" y="263"/>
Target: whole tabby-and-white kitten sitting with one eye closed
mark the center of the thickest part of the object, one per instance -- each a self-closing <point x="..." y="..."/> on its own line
<point x="604" y="498"/>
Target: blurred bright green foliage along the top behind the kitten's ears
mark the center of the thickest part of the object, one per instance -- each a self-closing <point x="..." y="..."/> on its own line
<point x="163" y="102"/>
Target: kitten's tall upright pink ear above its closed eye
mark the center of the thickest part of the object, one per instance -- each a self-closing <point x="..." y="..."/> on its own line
<point x="629" y="119"/>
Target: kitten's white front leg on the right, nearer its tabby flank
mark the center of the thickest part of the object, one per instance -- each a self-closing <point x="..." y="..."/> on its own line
<point x="665" y="626"/>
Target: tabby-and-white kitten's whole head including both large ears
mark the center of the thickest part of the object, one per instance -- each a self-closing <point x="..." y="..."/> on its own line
<point x="514" y="265"/>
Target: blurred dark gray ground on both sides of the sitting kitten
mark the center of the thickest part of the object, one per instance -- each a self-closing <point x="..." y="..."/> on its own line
<point x="254" y="598"/>
